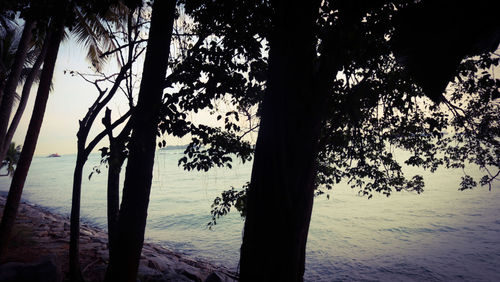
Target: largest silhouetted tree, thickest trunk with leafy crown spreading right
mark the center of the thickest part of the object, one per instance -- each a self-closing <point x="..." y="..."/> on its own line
<point x="308" y="109"/>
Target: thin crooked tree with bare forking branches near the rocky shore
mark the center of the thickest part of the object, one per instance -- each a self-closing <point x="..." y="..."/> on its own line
<point x="127" y="49"/>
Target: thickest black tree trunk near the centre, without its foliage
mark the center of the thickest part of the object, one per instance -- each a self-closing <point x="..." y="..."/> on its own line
<point x="281" y="191"/>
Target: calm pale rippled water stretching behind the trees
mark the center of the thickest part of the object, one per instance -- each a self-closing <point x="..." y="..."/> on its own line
<point x="441" y="235"/>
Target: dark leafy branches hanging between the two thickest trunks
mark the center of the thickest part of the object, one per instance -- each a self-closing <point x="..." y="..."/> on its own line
<point x="222" y="59"/>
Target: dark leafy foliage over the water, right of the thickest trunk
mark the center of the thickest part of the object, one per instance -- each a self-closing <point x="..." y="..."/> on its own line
<point x="376" y="110"/>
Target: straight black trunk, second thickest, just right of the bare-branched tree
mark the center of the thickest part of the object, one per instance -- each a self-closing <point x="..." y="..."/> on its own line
<point x="138" y="176"/>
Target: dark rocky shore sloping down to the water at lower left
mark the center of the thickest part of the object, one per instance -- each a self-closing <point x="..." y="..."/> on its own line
<point x="39" y="233"/>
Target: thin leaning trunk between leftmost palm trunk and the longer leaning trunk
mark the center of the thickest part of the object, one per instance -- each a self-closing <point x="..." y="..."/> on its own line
<point x="24" y="98"/>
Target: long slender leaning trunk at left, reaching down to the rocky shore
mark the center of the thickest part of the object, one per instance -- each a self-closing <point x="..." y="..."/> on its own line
<point x="30" y="141"/>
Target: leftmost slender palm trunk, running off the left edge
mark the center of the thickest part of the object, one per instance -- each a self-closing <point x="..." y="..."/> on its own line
<point x="7" y="98"/>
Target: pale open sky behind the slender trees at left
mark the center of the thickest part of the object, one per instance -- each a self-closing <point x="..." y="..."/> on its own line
<point x="68" y="102"/>
